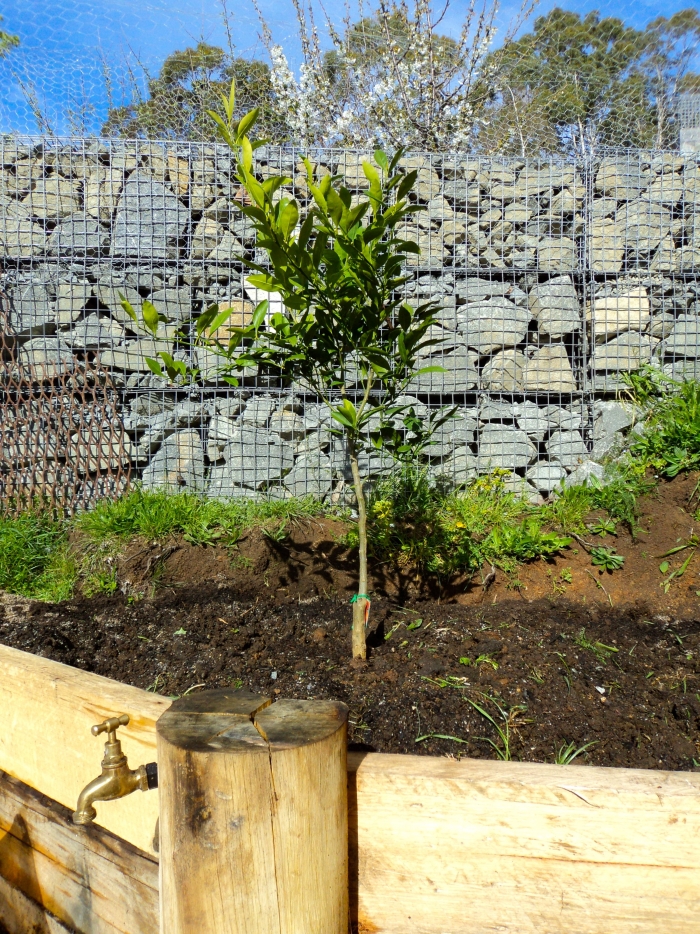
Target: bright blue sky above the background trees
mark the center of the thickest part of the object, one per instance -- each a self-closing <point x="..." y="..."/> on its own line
<point x="65" y="44"/>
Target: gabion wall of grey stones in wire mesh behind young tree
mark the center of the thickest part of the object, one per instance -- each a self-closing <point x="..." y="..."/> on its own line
<point x="554" y="278"/>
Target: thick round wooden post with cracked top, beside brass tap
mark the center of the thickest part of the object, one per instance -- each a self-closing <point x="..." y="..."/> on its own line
<point x="253" y="815"/>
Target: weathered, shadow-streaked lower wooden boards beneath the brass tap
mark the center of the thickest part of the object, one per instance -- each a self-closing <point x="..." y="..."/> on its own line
<point x="84" y="878"/>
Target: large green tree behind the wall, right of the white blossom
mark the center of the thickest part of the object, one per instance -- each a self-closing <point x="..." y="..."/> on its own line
<point x="575" y="83"/>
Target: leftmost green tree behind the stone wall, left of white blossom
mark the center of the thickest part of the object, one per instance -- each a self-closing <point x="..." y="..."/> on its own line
<point x="190" y="82"/>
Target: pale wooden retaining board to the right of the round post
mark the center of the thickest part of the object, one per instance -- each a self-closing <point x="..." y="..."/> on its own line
<point x="446" y="847"/>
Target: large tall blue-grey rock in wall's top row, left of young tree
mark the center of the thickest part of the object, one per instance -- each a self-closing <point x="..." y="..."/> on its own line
<point x="150" y="219"/>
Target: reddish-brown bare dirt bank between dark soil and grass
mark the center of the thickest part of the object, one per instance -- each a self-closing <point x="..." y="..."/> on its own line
<point x="309" y="562"/>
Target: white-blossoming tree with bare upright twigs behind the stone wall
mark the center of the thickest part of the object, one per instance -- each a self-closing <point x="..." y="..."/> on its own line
<point x="391" y="78"/>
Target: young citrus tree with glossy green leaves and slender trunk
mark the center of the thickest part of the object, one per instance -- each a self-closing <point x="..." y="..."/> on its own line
<point x="344" y="332"/>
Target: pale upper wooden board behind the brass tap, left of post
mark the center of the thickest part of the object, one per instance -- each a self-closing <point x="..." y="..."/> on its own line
<point x="46" y="711"/>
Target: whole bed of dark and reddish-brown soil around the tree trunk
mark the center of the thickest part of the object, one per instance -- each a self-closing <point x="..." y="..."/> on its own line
<point x="570" y="654"/>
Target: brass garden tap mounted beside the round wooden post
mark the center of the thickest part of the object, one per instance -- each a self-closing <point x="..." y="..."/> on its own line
<point x="117" y="779"/>
